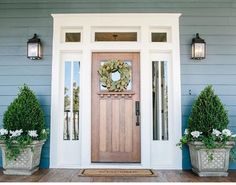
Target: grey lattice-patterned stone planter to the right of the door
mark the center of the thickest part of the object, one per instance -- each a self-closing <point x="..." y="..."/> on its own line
<point x="203" y="166"/>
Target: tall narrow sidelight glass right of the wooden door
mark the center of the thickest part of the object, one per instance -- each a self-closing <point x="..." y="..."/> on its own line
<point x="160" y="100"/>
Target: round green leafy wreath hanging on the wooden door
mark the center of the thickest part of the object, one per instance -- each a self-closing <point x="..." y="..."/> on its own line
<point x="112" y="66"/>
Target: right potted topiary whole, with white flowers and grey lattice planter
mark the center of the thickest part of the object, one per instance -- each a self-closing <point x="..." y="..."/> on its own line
<point x="207" y="136"/>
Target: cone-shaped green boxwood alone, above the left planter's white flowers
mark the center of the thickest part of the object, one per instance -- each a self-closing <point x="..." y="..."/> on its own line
<point x="24" y="113"/>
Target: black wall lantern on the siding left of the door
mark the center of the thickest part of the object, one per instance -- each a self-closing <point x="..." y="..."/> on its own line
<point x="34" y="50"/>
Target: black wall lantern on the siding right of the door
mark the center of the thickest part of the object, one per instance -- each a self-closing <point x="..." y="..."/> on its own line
<point x="198" y="48"/>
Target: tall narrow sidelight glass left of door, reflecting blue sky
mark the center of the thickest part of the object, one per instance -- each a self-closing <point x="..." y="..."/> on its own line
<point x="71" y="94"/>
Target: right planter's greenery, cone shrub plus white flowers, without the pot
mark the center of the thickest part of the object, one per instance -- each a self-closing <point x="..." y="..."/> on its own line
<point x="208" y="122"/>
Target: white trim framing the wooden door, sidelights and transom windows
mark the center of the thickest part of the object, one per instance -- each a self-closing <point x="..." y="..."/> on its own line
<point x="144" y="23"/>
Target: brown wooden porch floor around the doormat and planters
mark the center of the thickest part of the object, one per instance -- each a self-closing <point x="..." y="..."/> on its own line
<point x="71" y="175"/>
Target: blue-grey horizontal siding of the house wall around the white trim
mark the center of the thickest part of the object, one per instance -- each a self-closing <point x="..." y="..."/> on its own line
<point x="215" y="20"/>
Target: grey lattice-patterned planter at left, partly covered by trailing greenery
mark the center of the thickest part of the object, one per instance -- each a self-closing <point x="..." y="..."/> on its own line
<point x="26" y="163"/>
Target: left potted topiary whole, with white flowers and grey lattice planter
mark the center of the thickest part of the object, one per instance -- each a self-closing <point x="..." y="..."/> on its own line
<point x="23" y="134"/>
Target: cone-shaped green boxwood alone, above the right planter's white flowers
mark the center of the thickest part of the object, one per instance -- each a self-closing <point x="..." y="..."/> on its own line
<point x="208" y="113"/>
